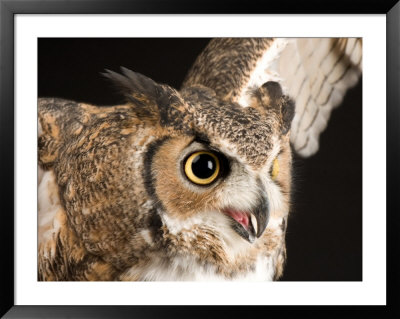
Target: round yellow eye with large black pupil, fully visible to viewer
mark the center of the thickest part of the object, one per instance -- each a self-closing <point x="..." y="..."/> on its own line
<point x="202" y="167"/>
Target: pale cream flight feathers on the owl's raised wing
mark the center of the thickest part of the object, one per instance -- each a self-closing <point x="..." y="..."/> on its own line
<point x="317" y="73"/>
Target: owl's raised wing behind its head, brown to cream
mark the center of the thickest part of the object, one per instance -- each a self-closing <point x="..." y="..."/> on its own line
<point x="315" y="72"/>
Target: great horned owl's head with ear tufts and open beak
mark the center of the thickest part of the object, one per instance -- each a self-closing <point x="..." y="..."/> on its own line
<point x="214" y="164"/>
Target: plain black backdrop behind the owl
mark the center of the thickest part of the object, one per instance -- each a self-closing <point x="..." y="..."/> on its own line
<point x="324" y="235"/>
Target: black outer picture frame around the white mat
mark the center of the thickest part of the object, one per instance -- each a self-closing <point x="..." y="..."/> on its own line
<point x="9" y="8"/>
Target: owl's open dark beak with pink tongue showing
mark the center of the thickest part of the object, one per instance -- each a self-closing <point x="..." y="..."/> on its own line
<point x="250" y="224"/>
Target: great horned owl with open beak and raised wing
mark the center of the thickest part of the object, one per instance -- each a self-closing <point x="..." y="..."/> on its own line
<point x="192" y="184"/>
